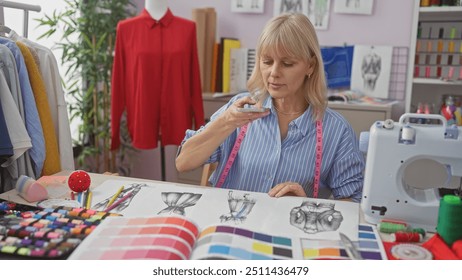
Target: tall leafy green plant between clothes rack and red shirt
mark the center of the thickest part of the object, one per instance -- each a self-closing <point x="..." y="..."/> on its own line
<point x="87" y="46"/>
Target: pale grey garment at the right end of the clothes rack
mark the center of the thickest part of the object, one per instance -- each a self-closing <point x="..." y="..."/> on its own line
<point x="48" y="66"/>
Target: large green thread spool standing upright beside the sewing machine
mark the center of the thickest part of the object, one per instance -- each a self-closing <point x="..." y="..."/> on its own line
<point x="449" y="225"/>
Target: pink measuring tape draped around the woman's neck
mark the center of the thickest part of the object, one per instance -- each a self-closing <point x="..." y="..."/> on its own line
<point x="240" y="138"/>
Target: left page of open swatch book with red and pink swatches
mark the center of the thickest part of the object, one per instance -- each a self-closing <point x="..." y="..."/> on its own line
<point x="122" y="238"/>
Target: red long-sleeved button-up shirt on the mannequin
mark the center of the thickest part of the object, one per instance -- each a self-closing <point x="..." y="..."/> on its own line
<point x="156" y="79"/>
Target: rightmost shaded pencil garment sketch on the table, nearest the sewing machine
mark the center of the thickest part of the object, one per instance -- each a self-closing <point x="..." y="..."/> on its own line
<point x="312" y="217"/>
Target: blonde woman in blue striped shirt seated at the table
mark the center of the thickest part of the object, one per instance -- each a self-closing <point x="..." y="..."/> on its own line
<point x="297" y="146"/>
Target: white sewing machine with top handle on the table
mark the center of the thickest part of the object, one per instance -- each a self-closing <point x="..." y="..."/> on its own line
<point x="406" y="166"/>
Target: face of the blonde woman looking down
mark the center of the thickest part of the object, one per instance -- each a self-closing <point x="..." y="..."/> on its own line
<point x="283" y="76"/>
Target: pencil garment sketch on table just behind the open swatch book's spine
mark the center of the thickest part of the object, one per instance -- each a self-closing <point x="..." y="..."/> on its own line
<point x="177" y="201"/>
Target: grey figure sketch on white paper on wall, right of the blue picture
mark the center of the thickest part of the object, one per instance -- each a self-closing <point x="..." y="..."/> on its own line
<point x="371" y="70"/>
